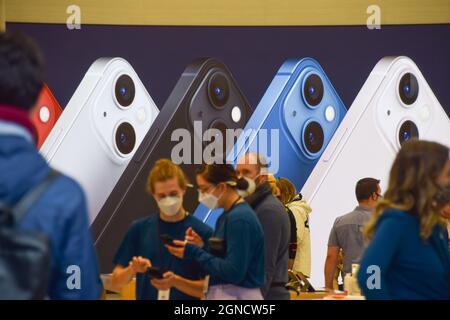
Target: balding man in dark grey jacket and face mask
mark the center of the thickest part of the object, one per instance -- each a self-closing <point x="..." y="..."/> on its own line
<point x="274" y="221"/>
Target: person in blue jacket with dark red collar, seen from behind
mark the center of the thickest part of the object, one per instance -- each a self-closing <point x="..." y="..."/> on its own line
<point x="61" y="212"/>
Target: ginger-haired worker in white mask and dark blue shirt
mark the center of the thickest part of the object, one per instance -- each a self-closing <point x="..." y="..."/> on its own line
<point x="143" y="244"/>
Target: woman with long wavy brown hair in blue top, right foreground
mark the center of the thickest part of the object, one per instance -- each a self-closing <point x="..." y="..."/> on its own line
<point x="408" y="256"/>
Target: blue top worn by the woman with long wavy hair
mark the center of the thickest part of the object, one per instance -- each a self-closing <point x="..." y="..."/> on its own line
<point x="411" y="268"/>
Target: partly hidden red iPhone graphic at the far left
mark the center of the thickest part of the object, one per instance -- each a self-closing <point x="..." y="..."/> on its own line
<point x="45" y="114"/>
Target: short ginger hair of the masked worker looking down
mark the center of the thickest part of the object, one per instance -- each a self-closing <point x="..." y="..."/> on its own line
<point x="163" y="170"/>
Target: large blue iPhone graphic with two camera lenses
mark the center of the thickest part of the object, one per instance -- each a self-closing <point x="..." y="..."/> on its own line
<point x="291" y="126"/>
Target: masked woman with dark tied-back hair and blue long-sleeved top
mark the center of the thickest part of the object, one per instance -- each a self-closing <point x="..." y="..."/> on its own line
<point x="234" y="257"/>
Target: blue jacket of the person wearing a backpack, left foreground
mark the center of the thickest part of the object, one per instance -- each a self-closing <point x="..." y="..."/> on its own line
<point x="60" y="213"/>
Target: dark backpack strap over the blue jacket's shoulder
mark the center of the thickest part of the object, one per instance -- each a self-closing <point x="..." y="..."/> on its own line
<point x="27" y="201"/>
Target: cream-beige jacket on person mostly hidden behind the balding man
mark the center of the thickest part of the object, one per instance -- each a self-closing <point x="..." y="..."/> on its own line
<point x="301" y="211"/>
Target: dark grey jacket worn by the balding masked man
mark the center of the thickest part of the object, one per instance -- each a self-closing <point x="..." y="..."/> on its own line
<point x="276" y="226"/>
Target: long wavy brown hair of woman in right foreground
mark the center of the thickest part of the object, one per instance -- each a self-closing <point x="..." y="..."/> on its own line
<point x="412" y="185"/>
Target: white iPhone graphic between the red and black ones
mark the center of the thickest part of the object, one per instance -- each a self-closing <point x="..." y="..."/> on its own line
<point x="100" y="129"/>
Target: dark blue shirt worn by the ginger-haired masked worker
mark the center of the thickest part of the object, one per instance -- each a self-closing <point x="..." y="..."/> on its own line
<point x="142" y="239"/>
